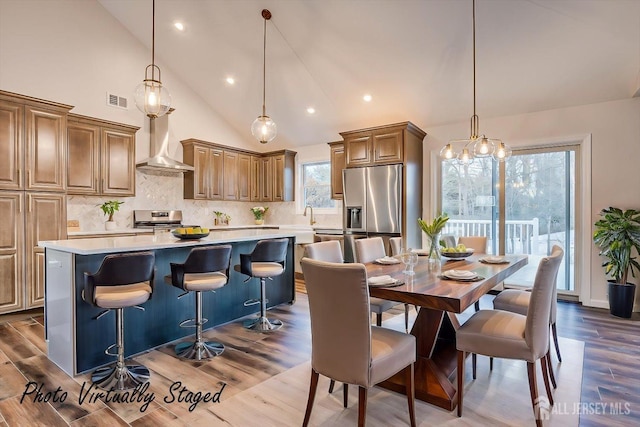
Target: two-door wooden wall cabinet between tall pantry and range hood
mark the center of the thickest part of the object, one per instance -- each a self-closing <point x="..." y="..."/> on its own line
<point x="100" y="157"/>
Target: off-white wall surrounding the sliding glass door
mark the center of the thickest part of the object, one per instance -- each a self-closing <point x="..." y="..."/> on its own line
<point x="614" y="128"/>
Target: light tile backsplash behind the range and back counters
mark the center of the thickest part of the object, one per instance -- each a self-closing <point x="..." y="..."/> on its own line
<point x="166" y="192"/>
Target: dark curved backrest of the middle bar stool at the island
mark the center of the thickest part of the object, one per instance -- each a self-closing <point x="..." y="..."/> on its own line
<point x="203" y="259"/>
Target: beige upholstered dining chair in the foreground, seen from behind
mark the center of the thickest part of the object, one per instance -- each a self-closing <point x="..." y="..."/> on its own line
<point x="374" y="354"/>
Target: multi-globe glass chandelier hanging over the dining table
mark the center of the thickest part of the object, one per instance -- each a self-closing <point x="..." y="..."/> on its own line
<point x="477" y="145"/>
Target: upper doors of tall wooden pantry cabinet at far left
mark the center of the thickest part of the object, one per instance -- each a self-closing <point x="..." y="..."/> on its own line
<point x="32" y="143"/>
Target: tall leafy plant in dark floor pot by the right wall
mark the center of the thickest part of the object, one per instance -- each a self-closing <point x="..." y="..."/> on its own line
<point x="617" y="234"/>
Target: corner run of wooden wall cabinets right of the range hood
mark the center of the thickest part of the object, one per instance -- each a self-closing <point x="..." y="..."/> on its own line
<point x="225" y="173"/>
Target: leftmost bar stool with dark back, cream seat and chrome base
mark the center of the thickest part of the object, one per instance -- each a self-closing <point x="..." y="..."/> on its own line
<point x="123" y="280"/>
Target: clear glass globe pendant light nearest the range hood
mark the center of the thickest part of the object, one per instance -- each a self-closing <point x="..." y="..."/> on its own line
<point x="151" y="97"/>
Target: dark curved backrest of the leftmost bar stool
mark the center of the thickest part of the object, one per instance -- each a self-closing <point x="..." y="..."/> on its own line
<point x="120" y="269"/>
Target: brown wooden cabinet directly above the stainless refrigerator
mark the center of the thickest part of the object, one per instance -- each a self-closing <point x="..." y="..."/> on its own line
<point x="381" y="145"/>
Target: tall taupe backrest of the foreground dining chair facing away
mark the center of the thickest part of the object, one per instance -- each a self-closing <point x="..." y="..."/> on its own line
<point x="340" y="320"/>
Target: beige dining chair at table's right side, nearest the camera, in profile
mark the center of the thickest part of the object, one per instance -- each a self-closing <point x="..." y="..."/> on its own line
<point x="498" y="333"/>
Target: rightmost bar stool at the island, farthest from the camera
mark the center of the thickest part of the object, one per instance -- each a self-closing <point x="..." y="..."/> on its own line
<point x="266" y="261"/>
